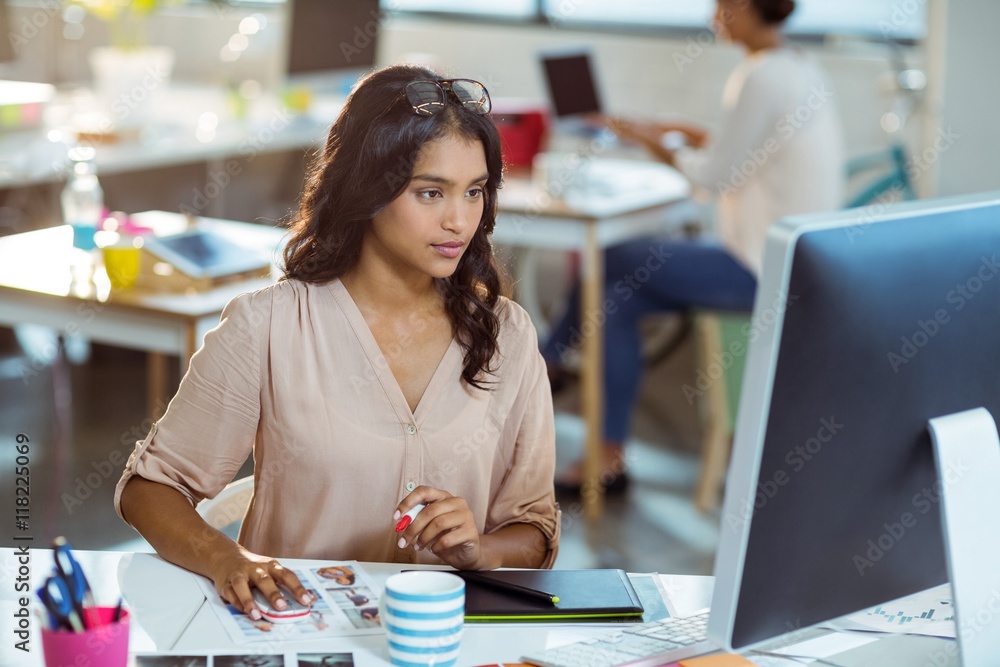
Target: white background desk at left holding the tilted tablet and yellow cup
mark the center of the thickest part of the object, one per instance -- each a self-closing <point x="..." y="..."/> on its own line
<point x="37" y="286"/>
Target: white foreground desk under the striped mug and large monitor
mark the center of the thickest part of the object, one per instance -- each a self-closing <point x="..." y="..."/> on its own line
<point x="169" y="616"/>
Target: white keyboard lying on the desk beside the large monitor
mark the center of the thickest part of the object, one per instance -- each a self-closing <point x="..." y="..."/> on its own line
<point x="644" y="645"/>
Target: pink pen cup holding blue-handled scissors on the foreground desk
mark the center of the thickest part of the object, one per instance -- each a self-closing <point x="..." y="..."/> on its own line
<point x="105" y="645"/>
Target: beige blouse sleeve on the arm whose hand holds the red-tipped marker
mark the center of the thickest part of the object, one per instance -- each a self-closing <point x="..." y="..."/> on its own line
<point x="526" y="494"/>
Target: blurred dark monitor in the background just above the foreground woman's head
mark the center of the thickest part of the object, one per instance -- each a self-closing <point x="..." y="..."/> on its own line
<point x="330" y="43"/>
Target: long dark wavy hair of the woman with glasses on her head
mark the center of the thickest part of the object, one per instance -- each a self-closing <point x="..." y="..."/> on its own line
<point x="367" y="162"/>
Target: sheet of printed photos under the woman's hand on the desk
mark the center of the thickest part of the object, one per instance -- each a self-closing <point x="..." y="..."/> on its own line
<point x="346" y="604"/>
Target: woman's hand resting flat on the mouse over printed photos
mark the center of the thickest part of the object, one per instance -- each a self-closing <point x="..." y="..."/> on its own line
<point x="237" y="573"/>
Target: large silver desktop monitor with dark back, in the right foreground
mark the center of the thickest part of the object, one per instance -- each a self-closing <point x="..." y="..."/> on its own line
<point x="867" y="324"/>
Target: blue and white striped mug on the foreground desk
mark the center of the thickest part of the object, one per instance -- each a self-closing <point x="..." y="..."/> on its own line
<point x="422" y="613"/>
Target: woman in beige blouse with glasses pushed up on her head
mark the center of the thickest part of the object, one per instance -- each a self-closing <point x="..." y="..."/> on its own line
<point x="386" y="370"/>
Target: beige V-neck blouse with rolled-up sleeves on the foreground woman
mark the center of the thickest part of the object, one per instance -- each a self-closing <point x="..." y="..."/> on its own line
<point x="294" y="374"/>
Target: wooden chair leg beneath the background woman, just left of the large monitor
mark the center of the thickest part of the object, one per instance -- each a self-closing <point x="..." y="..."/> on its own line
<point x="714" y="409"/>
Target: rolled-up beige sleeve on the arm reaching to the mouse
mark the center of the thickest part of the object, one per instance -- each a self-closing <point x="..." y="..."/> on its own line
<point x="209" y="427"/>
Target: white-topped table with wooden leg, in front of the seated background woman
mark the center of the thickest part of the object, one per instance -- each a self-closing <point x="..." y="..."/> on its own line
<point x="617" y="200"/>
